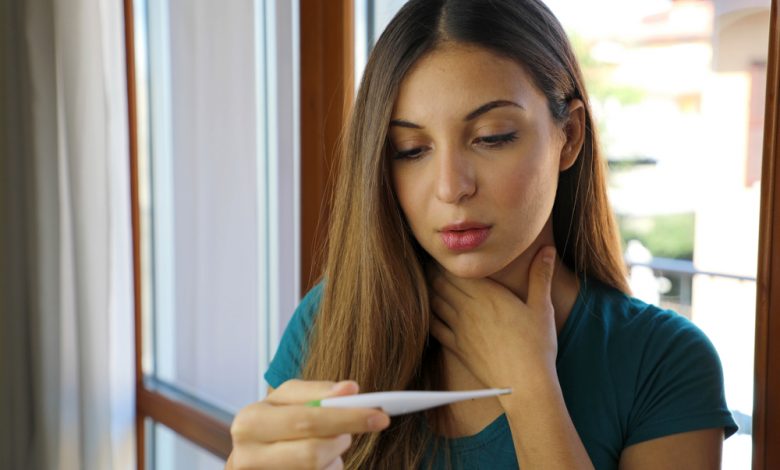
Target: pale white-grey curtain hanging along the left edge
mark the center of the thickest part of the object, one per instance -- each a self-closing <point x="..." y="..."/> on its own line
<point x="67" y="357"/>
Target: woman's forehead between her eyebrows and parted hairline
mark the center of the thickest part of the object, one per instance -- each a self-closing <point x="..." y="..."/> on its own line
<point x="455" y="77"/>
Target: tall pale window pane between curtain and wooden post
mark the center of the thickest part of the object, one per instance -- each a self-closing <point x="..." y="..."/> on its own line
<point x="216" y="97"/>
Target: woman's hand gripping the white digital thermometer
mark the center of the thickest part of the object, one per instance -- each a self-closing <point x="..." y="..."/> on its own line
<point x="283" y="432"/>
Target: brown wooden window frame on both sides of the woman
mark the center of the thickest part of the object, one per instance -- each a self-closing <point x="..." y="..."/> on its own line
<point x="327" y="61"/>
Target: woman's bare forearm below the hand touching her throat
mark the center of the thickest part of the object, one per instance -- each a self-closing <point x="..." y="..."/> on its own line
<point x="542" y="431"/>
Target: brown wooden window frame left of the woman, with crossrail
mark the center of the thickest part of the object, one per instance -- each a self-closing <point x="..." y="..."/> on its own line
<point x="326" y="38"/>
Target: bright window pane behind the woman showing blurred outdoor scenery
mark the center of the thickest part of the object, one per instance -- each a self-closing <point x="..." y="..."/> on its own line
<point x="678" y="91"/>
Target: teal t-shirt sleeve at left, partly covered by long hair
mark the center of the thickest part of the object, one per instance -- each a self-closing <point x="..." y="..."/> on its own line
<point x="288" y="360"/>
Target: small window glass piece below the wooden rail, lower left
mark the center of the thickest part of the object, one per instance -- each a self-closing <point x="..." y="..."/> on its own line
<point x="170" y="451"/>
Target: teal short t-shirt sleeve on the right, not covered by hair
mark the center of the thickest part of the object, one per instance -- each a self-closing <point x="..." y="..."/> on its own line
<point x="679" y="386"/>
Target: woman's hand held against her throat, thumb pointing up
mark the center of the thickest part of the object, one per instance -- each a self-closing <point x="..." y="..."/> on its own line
<point x="501" y="339"/>
